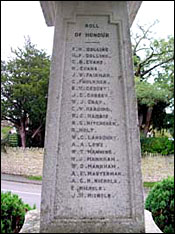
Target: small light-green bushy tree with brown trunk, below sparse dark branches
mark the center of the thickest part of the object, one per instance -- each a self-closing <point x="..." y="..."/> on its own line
<point x="152" y="103"/>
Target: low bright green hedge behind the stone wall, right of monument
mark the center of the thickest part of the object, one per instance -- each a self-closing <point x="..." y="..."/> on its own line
<point x="161" y="145"/>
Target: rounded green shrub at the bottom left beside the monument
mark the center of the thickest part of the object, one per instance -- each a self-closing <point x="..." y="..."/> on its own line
<point x="12" y="212"/>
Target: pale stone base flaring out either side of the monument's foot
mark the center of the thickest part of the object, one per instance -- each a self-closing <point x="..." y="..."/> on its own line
<point x="32" y="220"/>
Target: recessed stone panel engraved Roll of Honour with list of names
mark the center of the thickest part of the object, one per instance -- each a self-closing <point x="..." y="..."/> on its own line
<point x="98" y="160"/>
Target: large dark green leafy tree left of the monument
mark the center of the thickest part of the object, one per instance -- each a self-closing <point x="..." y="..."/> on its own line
<point x="24" y="90"/>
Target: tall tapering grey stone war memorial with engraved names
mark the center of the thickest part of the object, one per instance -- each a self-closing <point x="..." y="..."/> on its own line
<point x="92" y="165"/>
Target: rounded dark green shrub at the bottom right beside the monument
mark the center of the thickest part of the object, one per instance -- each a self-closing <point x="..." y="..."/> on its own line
<point x="160" y="202"/>
